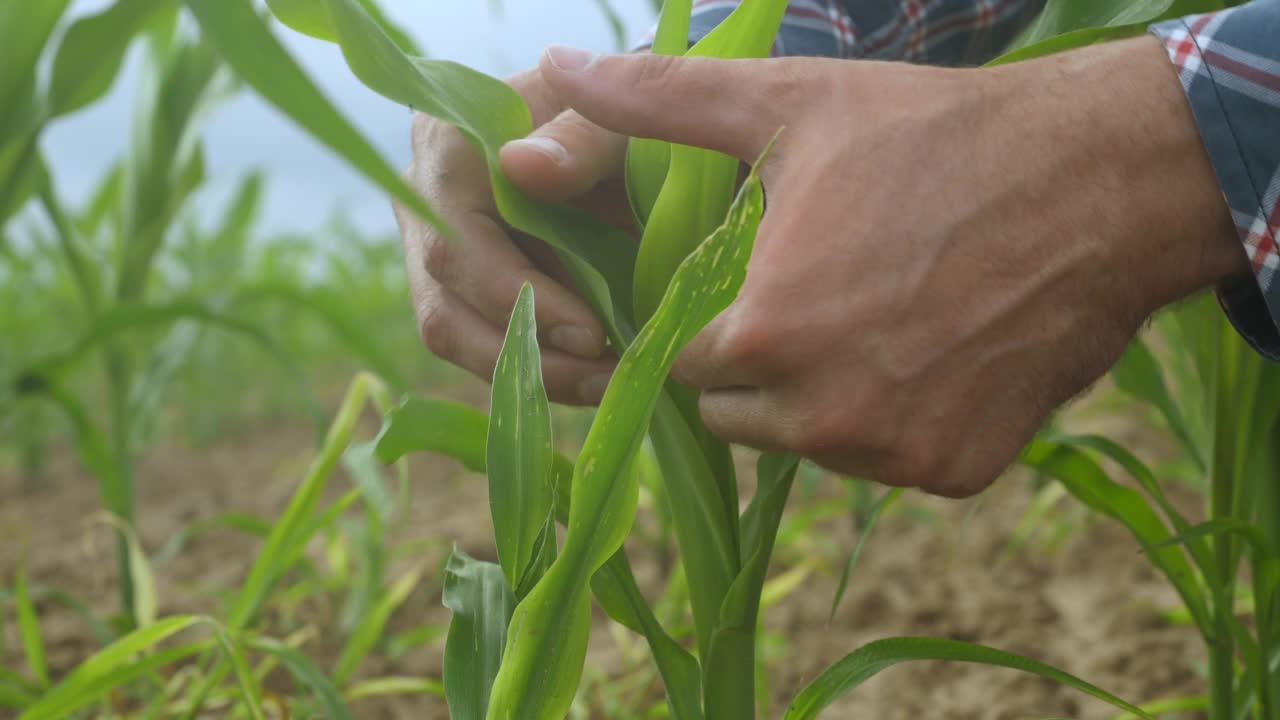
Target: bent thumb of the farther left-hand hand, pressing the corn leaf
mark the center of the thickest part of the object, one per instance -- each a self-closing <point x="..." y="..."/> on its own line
<point x="564" y="158"/>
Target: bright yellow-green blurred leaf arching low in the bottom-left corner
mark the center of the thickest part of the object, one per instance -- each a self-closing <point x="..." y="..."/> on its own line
<point x="116" y="666"/>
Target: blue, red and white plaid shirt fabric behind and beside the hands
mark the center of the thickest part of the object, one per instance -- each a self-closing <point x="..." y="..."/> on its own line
<point x="1229" y="63"/>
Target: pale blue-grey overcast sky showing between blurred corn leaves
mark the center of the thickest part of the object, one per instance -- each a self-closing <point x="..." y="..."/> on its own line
<point x="307" y="183"/>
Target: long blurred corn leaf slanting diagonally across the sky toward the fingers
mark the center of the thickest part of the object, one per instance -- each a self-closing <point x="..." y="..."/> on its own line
<point x="258" y="57"/>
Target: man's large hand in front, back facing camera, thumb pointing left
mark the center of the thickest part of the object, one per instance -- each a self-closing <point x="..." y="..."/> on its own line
<point x="947" y="257"/>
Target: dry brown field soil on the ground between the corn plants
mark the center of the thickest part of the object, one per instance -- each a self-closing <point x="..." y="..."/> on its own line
<point x="934" y="568"/>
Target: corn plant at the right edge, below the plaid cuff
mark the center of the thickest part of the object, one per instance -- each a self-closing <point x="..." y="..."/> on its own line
<point x="1212" y="397"/>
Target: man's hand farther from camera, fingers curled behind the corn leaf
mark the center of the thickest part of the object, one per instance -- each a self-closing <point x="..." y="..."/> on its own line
<point x="464" y="291"/>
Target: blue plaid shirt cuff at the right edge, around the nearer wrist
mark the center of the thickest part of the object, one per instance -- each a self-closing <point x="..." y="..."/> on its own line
<point x="1229" y="63"/>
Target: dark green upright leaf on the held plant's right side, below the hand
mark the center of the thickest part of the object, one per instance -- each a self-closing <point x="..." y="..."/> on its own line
<point x="729" y="692"/>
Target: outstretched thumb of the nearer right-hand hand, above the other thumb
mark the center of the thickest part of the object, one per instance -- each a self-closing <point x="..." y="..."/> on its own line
<point x="724" y="106"/>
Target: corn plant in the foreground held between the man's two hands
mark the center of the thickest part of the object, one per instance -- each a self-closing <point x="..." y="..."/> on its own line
<point x="518" y="644"/>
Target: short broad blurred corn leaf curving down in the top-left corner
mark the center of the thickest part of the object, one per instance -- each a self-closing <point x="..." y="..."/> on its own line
<point x="93" y="51"/>
